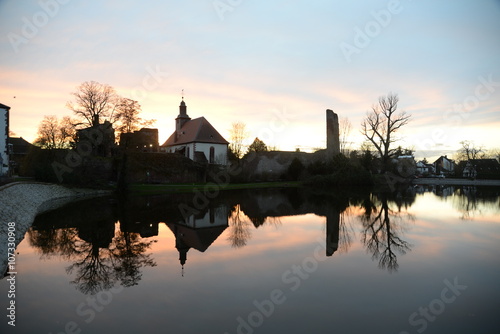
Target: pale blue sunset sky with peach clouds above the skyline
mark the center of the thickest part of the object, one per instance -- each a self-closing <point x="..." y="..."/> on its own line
<point x="274" y="65"/>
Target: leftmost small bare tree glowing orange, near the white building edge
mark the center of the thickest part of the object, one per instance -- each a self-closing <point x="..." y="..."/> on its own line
<point x="54" y="133"/>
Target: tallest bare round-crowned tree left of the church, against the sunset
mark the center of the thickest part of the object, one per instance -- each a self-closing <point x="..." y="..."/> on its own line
<point x="94" y="101"/>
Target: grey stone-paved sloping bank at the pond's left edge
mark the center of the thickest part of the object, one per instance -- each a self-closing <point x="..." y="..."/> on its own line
<point x="21" y="202"/>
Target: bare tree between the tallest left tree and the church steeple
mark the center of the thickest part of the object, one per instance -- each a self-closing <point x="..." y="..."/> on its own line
<point x="127" y="117"/>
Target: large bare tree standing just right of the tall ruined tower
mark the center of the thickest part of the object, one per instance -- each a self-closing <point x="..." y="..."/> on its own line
<point x="381" y="124"/>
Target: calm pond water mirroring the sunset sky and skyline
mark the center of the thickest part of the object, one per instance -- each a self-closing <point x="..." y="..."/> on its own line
<point x="264" y="261"/>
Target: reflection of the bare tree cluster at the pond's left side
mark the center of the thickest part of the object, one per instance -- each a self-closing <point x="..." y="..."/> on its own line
<point x="102" y="255"/>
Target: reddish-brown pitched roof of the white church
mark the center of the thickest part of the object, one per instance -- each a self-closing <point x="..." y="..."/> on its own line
<point x="196" y="130"/>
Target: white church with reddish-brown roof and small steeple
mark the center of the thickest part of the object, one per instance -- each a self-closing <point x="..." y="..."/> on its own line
<point x="196" y="139"/>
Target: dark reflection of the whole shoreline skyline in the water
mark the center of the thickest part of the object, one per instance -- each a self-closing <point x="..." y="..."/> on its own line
<point x="108" y="240"/>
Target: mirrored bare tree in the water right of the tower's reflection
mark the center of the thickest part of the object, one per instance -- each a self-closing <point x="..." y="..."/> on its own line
<point x="382" y="227"/>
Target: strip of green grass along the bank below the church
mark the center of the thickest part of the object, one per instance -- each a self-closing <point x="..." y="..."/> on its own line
<point x="151" y="189"/>
